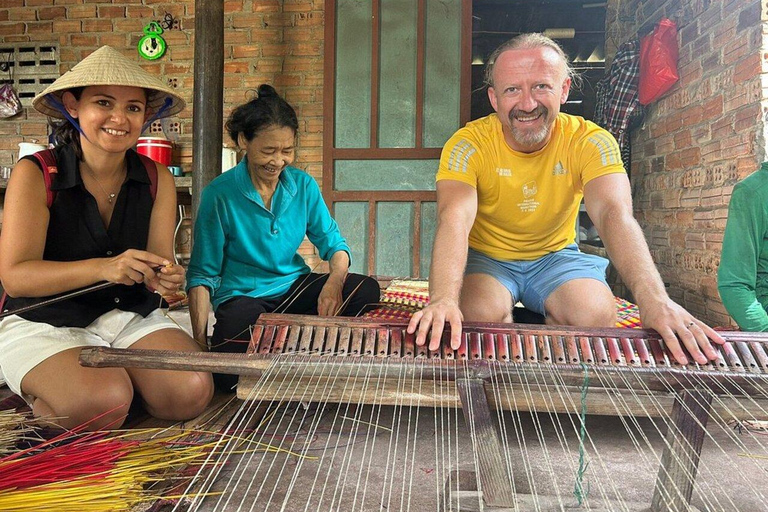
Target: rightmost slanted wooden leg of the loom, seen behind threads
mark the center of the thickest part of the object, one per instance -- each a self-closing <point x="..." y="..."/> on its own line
<point x="680" y="459"/>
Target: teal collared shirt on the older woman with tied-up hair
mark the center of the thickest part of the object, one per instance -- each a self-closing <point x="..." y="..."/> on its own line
<point x="241" y="248"/>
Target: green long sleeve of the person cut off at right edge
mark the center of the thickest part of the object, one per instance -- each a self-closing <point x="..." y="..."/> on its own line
<point x="742" y="278"/>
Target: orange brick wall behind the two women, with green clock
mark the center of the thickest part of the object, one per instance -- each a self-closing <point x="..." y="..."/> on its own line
<point x="266" y="41"/>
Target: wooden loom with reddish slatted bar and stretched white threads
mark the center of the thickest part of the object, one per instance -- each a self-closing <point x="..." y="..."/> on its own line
<point x="513" y="367"/>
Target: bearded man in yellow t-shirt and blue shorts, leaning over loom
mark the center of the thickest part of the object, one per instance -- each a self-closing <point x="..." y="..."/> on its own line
<point x="508" y="193"/>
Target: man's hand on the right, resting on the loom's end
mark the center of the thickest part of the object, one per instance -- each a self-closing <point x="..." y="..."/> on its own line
<point x="676" y="325"/>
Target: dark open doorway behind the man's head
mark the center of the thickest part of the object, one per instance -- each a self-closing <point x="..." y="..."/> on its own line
<point x="577" y="25"/>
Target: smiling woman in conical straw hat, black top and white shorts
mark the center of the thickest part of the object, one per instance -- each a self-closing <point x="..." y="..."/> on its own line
<point x="107" y="215"/>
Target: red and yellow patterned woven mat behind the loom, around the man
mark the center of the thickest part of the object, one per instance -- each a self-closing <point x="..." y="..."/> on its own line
<point x="402" y="298"/>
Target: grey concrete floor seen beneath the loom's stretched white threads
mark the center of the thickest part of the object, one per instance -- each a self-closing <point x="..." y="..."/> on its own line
<point x="360" y="465"/>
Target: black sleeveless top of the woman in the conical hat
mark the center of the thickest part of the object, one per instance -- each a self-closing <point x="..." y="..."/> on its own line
<point x="76" y="232"/>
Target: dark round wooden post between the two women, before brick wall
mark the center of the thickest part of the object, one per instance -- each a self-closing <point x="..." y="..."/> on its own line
<point x="208" y="96"/>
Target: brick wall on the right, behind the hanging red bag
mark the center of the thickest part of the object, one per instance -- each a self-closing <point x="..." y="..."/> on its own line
<point x="697" y="141"/>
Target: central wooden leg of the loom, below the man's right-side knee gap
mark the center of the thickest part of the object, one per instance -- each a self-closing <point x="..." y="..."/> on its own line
<point x="494" y="479"/>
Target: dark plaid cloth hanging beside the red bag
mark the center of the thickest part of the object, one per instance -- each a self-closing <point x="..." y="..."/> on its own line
<point x="617" y="108"/>
